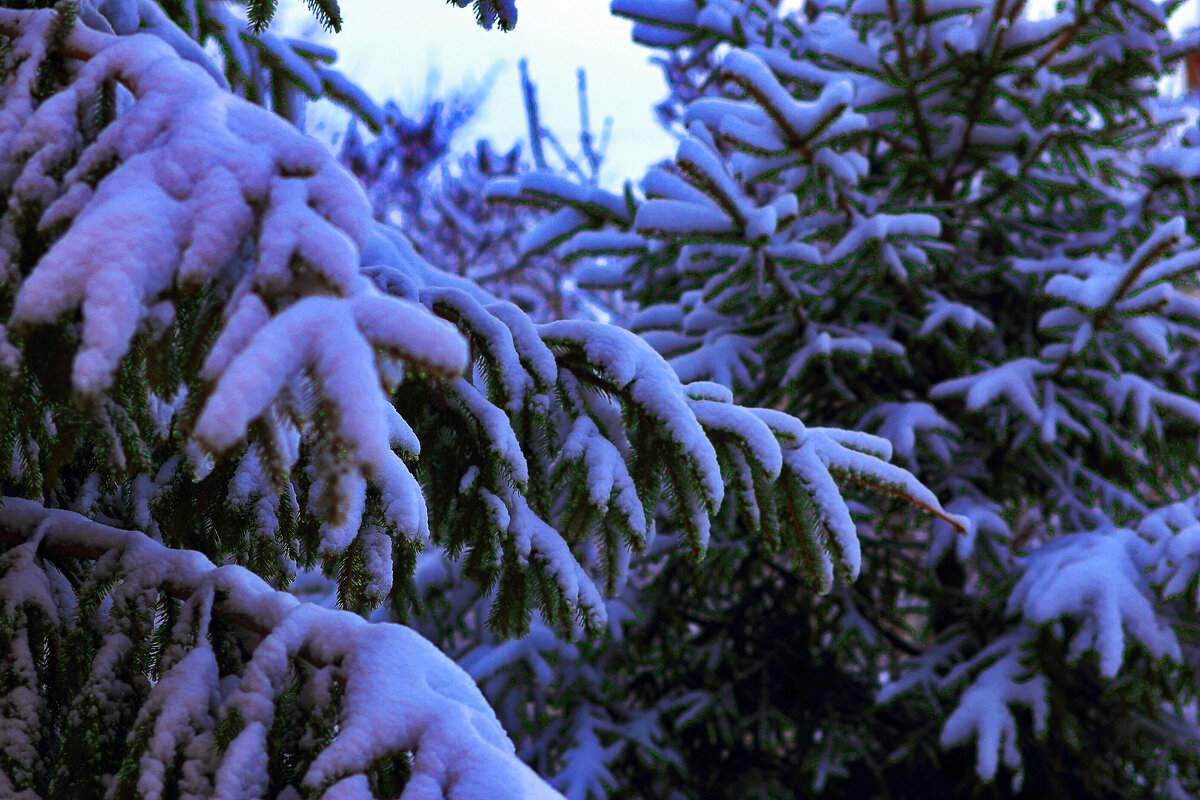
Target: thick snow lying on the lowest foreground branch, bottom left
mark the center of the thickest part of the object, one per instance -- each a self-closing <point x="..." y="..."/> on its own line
<point x="403" y="695"/>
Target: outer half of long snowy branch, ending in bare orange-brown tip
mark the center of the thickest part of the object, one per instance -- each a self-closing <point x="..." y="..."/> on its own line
<point x="623" y="432"/>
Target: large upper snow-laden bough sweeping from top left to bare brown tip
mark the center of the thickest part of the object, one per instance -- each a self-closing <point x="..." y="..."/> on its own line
<point x="242" y="257"/>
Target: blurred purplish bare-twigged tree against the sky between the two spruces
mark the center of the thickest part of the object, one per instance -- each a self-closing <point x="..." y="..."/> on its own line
<point x="440" y="201"/>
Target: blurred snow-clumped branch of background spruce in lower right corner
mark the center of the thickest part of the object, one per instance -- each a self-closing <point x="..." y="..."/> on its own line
<point x="1124" y="594"/>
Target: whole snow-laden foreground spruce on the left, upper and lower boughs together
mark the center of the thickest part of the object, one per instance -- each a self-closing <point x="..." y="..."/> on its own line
<point x="219" y="370"/>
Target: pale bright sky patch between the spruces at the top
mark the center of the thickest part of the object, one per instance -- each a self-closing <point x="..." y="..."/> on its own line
<point x="389" y="47"/>
